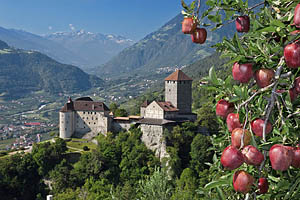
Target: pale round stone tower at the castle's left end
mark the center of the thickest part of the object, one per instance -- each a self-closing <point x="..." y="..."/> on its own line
<point x="66" y="120"/>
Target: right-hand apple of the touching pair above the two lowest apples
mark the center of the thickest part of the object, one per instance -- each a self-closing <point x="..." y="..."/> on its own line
<point x="252" y="156"/>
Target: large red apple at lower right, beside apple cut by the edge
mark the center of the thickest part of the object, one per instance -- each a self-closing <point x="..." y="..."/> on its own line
<point x="280" y="157"/>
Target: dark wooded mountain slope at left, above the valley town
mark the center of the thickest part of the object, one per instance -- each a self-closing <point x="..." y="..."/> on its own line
<point x="22" y="72"/>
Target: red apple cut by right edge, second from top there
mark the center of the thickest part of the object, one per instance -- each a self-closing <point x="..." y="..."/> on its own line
<point x="292" y="55"/>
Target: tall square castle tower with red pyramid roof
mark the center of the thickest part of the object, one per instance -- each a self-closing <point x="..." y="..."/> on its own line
<point x="178" y="91"/>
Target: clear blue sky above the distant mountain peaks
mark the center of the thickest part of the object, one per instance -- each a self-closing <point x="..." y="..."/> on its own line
<point x="130" y="18"/>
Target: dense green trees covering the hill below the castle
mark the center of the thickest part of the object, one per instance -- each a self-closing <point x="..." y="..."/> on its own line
<point x="120" y="168"/>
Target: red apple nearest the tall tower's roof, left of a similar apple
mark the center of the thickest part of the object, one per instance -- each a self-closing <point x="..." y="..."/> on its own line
<point x="242" y="72"/>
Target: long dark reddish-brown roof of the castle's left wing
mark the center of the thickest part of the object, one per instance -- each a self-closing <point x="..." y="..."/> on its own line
<point x="84" y="106"/>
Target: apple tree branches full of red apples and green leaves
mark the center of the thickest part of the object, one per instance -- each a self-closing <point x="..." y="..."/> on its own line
<point x="257" y="154"/>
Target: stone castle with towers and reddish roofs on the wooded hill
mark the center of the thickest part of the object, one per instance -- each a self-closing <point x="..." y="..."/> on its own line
<point x="86" y="118"/>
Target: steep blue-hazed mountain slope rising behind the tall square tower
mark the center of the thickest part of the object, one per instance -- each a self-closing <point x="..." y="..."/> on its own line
<point x="165" y="47"/>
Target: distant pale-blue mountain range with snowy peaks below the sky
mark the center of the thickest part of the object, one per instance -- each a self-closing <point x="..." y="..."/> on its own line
<point x="80" y="48"/>
